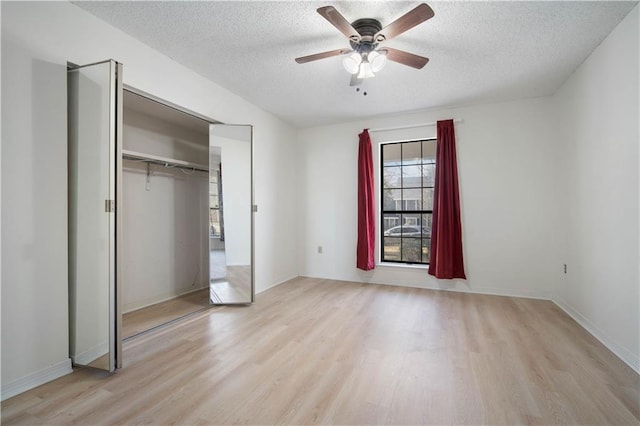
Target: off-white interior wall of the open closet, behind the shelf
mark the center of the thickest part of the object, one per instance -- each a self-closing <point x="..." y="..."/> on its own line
<point x="165" y="247"/>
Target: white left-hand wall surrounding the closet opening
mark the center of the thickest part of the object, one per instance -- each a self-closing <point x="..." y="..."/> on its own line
<point x="38" y="38"/>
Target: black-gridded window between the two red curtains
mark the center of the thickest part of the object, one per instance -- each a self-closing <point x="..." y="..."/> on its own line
<point x="408" y="174"/>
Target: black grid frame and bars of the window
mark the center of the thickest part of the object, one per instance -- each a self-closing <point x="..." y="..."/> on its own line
<point x="384" y="214"/>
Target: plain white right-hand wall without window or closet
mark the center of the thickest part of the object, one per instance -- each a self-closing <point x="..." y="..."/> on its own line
<point x="598" y="129"/>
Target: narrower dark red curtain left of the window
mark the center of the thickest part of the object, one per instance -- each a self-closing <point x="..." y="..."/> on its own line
<point x="366" y="206"/>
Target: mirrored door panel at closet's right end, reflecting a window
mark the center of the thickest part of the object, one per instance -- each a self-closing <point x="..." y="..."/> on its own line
<point x="230" y="215"/>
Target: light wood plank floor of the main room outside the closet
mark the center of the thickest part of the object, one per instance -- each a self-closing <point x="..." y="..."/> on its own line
<point x="317" y="351"/>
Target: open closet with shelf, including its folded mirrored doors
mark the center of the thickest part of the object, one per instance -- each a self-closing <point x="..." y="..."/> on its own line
<point x="161" y="213"/>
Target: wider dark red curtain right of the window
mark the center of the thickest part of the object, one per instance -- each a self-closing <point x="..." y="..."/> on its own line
<point x="446" y="229"/>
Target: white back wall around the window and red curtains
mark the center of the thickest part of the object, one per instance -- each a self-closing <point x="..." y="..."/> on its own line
<point x="507" y="174"/>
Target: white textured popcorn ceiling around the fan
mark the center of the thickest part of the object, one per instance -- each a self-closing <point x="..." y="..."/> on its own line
<point x="479" y="51"/>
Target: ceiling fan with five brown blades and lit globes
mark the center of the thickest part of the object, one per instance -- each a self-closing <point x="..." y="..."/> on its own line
<point x="365" y="35"/>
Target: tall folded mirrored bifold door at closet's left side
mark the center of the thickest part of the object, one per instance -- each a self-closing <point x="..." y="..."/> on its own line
<point x="94" y="125"/>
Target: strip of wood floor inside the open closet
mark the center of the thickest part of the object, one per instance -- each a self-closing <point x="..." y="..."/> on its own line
<point x="144" y="319"/>
